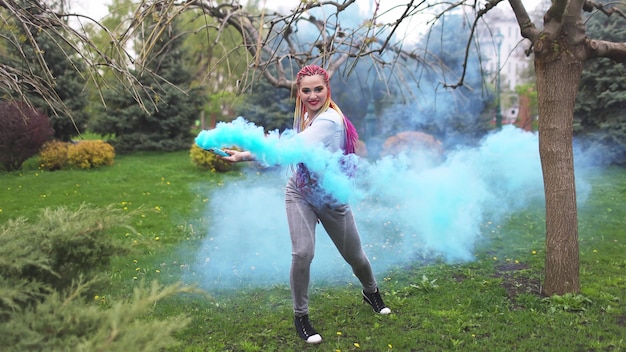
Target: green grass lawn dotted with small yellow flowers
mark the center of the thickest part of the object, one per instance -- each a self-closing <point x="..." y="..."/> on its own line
<point x="489" y="304"/>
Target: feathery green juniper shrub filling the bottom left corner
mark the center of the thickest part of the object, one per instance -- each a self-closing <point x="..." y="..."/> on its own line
<point x="69" y="322"/>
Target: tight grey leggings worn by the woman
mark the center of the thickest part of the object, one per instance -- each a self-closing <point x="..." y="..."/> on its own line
<point x="339" y="223"/>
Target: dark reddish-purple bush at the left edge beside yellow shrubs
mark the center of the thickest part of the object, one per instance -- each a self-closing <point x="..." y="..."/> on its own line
<point x="23" y="131"/>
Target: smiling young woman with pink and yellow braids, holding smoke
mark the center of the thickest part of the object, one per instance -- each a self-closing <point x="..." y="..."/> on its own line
<point x="318" y="120"/>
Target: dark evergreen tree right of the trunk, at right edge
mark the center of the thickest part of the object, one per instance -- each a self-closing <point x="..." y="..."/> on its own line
<point x="600" y="115"/>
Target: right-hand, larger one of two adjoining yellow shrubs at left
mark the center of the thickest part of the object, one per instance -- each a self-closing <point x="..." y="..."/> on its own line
<point x="90" y="154"/>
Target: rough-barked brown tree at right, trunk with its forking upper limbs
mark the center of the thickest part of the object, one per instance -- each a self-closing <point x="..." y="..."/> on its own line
<point x="560" y="50"/>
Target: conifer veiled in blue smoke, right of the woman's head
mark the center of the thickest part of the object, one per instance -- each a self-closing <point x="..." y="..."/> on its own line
<point x="455" y="116"/>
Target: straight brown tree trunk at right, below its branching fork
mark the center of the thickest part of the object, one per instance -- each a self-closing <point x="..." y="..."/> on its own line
<point x="557" y="86"/>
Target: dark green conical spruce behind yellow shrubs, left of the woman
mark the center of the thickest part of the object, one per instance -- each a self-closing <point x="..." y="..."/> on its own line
<point x="175" y="105"/>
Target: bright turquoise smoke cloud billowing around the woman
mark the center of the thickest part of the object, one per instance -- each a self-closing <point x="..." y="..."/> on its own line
<point x="408" y="208"/>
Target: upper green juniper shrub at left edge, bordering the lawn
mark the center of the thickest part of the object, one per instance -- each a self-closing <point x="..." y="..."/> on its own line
<point x="59" y="247"/>
